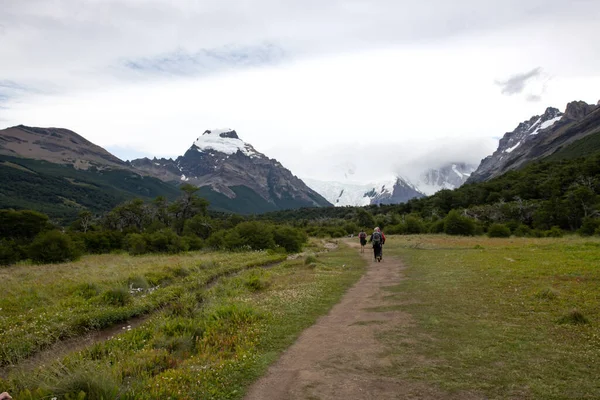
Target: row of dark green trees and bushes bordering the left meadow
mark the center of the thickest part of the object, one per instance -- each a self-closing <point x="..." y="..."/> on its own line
<point x="140" y="227"/>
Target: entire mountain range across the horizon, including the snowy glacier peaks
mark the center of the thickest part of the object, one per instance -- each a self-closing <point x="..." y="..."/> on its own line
<point x="59" y="172"/>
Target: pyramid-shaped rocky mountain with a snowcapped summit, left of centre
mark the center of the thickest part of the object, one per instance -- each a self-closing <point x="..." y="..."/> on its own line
<point x="222" y="164"/>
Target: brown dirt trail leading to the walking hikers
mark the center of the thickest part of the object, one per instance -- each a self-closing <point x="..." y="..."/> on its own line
<point x="339" y="356"/>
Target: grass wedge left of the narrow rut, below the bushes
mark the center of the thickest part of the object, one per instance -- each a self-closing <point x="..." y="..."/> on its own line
<point x="41" y="304"/>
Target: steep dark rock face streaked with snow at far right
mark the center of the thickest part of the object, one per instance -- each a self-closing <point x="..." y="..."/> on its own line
<point x="539" y="137"/>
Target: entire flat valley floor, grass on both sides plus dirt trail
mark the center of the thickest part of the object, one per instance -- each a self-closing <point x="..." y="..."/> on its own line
<point x="440" y="318"/>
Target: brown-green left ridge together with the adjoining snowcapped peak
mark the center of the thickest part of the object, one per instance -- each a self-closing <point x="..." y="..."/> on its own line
<point x="59" y="172"/>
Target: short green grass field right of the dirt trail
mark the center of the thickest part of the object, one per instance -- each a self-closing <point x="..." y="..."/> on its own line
<point x="506" y="318"/>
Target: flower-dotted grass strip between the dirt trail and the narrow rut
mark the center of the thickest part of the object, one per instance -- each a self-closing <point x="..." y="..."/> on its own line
<point x="208" y="343"/>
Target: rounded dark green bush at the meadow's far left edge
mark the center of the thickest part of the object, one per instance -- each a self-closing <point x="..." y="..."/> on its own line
<point x="53" y="247"/>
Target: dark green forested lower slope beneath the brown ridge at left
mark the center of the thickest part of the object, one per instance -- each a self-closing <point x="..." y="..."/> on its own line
<point x="62" y="191"/>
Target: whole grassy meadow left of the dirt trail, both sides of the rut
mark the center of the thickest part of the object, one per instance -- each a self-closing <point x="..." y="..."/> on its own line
<point x="200" y="341"/>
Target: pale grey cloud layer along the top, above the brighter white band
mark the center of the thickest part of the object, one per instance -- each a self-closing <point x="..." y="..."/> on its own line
<point x="71" y="41"/>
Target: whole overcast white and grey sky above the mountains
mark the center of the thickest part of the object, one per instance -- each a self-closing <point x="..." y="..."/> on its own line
<point x="323" y="86"/>
